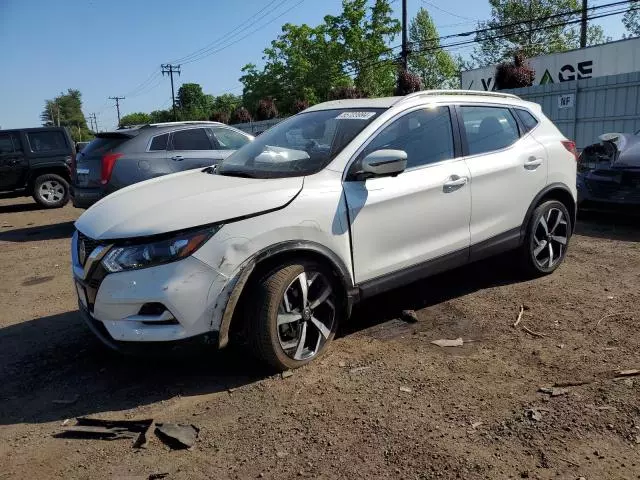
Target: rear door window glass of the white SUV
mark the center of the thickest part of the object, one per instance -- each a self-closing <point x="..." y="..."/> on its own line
<point x="489" y="128"/>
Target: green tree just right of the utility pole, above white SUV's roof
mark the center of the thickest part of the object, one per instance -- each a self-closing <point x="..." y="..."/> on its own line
<point x="435" y="67"/>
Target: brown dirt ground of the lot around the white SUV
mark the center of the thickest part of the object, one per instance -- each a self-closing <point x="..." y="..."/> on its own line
<point x="382" y="403"/>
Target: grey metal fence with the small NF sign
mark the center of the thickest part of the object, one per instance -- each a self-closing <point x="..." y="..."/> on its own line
<point x="585" y="109"/>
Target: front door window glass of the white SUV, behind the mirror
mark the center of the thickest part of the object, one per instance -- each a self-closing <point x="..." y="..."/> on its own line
<point x="426" y="135"/>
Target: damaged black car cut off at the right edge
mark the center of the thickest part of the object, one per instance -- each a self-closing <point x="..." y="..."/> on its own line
<point x="609" y="172"/>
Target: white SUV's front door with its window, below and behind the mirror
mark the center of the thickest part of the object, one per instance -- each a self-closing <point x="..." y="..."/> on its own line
<point x="420" y="215"/>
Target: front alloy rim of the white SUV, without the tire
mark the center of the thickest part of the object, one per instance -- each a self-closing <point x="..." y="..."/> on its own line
<point x="306" y="315"/>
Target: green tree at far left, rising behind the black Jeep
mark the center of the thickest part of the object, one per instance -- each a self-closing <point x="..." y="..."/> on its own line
<point x="66" y="110"/>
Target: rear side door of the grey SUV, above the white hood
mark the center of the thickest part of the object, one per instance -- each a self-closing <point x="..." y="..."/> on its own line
<point x="192" y="148"/>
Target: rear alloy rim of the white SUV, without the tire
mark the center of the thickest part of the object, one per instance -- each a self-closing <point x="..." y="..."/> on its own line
<point x="550" y="238"/>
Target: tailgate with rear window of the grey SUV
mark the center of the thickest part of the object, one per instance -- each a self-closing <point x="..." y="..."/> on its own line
<point x="88" y="172"/>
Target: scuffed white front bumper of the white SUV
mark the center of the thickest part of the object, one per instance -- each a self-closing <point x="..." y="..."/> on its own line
<point x="188" y="289"/>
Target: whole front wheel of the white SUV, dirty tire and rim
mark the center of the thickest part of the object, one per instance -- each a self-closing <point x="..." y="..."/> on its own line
<point x="279" y="346"/>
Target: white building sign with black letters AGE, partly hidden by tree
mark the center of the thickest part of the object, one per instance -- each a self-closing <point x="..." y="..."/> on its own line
<point x="609" y="59"/>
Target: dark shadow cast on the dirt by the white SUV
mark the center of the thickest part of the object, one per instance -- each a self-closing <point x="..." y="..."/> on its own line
<point x="52" y="368"/>
